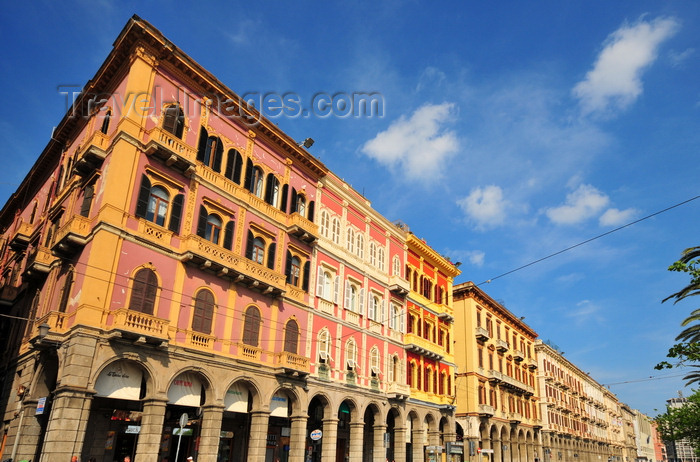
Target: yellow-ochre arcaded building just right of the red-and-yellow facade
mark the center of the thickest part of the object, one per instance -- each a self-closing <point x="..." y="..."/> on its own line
<point x="497" y="397"/>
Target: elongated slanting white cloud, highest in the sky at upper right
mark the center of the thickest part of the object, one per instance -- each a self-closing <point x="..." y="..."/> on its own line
<point x="615" y="80"/>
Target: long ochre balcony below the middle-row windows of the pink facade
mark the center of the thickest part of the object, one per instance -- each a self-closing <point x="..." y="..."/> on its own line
<point x="224" y="263"/>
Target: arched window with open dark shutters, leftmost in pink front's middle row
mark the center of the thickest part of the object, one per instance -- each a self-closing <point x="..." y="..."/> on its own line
<point x="153" y="204"/>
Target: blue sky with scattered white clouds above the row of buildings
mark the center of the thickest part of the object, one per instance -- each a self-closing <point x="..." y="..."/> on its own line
<point x="509" y="131"/>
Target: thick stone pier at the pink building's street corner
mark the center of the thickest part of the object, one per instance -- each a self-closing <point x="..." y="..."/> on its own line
<point x="66" y="429"/>
